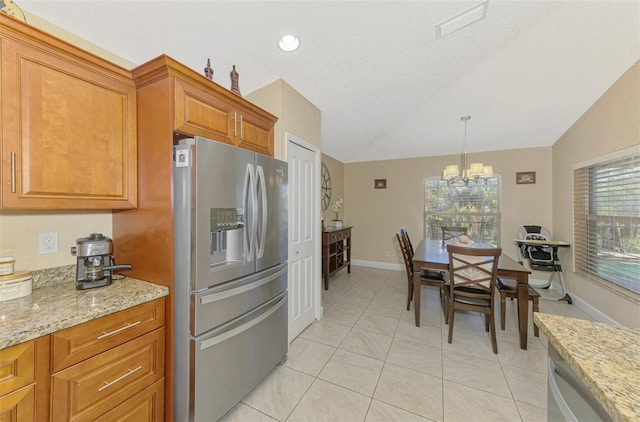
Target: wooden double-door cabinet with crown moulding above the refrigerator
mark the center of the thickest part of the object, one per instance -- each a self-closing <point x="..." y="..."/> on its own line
<point x="201" y="107"/>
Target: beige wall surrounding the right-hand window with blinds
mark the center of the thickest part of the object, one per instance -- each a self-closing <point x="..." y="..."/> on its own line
<point x="611" y="124"/>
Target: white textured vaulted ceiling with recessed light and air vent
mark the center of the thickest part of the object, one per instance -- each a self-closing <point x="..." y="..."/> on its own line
<point x="386" y="87"/>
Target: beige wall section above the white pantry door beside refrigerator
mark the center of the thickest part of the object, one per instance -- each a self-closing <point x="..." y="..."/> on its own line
<point x="296" y="115"/>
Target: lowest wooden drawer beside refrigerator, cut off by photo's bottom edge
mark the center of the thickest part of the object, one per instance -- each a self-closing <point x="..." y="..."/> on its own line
<point x="147" y="405"/>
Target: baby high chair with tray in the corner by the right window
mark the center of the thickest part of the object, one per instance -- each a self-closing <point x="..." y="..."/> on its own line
<point x="535" y="245"/>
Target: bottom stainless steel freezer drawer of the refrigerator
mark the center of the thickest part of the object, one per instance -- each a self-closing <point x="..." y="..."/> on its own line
<point x="232" y="360"/>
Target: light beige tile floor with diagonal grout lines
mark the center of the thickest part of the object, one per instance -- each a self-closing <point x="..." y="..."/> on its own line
<point x="367" y="361"/>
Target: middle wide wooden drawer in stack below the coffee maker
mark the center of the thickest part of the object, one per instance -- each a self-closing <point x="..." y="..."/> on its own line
<point x="93" y="387"/>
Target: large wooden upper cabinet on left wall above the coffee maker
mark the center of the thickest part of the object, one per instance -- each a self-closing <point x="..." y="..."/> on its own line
<point x="68" y="125"/>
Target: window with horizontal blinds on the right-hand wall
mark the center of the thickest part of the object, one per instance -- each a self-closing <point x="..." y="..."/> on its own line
<point x="607" y="222"/>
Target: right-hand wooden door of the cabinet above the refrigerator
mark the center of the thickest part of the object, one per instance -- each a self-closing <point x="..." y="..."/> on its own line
<point x="254" y="133"/>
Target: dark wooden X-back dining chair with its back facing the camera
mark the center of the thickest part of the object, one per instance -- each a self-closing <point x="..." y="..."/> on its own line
<point x="472" y="284"/>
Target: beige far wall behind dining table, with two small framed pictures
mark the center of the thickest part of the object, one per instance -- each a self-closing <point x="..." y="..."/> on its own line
<point x="377" y="214"/>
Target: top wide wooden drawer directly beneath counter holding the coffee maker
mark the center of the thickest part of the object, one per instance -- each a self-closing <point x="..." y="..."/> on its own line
<point x="78" y="343"/>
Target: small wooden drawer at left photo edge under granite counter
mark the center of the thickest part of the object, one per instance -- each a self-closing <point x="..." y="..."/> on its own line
<point x="17" y="367"/>
